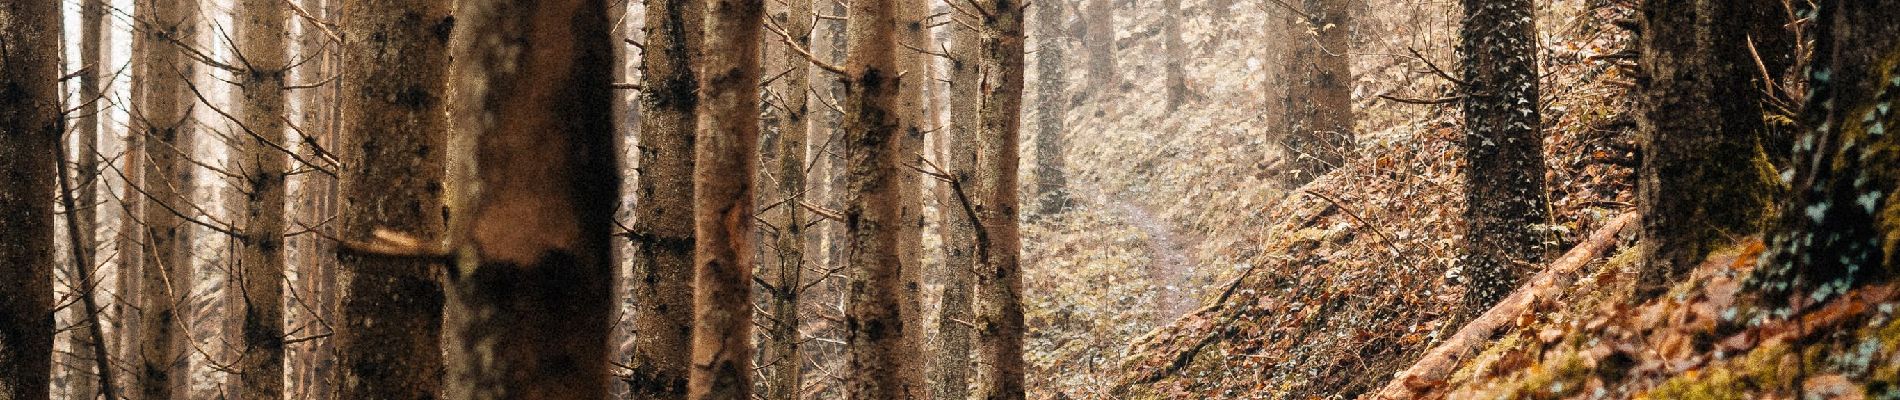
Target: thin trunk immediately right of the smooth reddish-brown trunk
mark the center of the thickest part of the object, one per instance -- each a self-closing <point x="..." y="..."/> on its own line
<point x="784" y="374"/>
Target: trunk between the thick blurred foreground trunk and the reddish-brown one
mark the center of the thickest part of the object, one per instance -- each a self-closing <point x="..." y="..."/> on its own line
<point x="664" y="219"/>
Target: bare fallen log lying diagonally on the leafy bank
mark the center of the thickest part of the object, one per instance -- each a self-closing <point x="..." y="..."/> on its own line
<point x="1441" y="361"/>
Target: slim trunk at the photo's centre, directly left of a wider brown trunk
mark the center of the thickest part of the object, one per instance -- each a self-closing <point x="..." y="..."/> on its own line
<point x="951" y="365"/>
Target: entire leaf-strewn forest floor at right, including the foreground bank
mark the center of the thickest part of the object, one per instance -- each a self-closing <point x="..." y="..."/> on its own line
<point x="1331" y="289"/>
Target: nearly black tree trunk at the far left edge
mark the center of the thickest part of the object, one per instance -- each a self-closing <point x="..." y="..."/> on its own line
<point x="29" y="128"/>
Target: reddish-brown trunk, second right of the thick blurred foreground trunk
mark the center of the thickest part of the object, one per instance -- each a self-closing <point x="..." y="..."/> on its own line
<point x="727" y="160"/>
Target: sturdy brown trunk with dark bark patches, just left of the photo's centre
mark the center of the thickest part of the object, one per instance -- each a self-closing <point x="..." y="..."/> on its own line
<point x="883" y="355"/>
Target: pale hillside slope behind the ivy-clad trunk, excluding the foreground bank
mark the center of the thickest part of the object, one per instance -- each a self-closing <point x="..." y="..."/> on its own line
<point x="1320" y="291"/>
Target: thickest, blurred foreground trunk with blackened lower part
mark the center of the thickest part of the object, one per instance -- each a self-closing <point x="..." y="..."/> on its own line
<point x="531" y="287"/>
